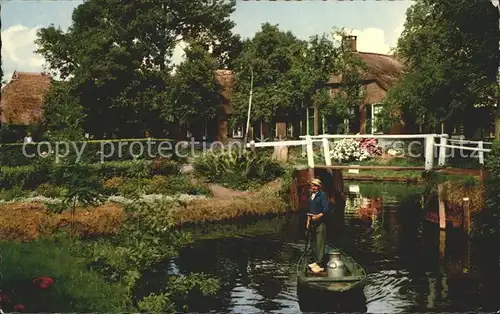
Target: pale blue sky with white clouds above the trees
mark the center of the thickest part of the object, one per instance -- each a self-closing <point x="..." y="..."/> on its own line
<point x="378" y="24"/>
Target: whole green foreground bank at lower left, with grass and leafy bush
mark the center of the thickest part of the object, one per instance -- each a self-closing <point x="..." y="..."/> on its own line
<point x="100" y="274"/>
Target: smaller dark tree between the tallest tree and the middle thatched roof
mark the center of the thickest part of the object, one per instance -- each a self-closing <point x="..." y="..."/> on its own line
<point x="195" y="92"/>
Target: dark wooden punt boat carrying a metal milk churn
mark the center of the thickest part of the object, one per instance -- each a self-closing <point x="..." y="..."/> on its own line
<point x="320" y="293"/>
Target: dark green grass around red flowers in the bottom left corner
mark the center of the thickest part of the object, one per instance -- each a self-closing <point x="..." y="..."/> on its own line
<point x="75" y="289"/>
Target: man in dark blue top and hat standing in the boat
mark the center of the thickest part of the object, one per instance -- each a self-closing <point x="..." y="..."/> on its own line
<point x="316" y="223"/>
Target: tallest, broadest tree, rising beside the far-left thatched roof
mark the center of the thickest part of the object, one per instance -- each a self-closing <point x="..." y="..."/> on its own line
<point x="118" y="56"/>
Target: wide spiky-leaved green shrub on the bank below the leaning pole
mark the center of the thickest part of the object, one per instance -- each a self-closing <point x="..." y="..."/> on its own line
<point x="237" y="170"/>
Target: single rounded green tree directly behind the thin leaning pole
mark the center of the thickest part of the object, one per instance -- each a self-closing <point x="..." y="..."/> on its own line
<point x="270" y="55"/>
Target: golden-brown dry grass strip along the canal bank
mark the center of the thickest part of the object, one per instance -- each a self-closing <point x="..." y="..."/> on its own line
<point x="28" y="221"/>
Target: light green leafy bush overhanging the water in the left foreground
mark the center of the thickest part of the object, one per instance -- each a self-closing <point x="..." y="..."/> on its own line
<point x="148" y="238"/>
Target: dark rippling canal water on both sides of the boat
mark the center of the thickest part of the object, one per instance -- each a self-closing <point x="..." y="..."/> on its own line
<point x="411" y="265"/>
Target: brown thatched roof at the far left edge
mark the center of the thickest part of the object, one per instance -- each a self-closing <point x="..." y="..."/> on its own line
<point x="23" y="97"/>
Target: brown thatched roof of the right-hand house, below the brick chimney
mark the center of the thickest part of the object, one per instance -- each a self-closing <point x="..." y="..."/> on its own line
<point x="383" y="69"/>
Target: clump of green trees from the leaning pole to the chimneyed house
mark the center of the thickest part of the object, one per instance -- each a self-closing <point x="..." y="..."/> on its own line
<point x="289" y="74"/>
